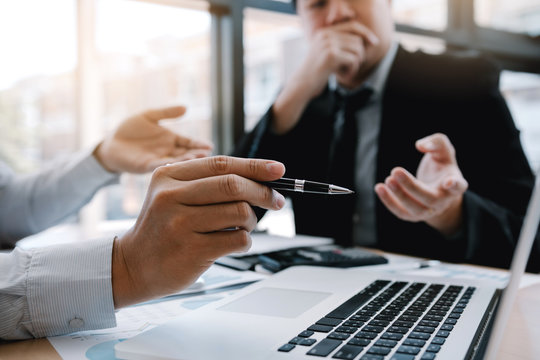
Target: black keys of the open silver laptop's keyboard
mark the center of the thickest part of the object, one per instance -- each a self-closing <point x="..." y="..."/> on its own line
<point x="387" y="320"/>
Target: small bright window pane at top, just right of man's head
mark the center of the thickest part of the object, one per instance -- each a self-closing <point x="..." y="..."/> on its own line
<point x="426" y="14"/>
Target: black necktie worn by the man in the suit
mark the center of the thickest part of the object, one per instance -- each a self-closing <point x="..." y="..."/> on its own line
<point x="345" y="138"/>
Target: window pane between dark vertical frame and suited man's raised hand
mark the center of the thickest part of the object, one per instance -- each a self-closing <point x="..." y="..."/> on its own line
<point x="273" y="47"/>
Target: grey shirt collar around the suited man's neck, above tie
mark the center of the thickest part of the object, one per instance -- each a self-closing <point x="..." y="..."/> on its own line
<point x="376" y="80"/>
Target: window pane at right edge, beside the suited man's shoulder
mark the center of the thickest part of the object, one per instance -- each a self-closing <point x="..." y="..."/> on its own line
<point x="522" y="92"/>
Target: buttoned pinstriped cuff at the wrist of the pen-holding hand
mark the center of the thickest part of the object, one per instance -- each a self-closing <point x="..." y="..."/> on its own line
<point x="69" y="288"/>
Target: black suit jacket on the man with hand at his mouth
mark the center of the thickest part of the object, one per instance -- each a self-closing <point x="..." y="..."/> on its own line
<point x="424" y="94"/>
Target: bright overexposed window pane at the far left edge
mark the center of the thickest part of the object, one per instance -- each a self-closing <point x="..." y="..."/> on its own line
<point x="37" y="81"/>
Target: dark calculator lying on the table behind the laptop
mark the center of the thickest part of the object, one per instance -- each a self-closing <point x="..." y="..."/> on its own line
<point x="333" y="257"/>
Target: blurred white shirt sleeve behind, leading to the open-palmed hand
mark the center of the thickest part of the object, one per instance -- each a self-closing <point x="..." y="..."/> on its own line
<point x="30" y="204"/>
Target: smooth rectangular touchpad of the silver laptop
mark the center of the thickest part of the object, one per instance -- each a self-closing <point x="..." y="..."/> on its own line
<point x="278" y="302"/>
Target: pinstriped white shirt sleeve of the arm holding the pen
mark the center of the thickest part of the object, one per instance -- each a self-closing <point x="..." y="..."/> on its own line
<point x="56" y="290"/>
